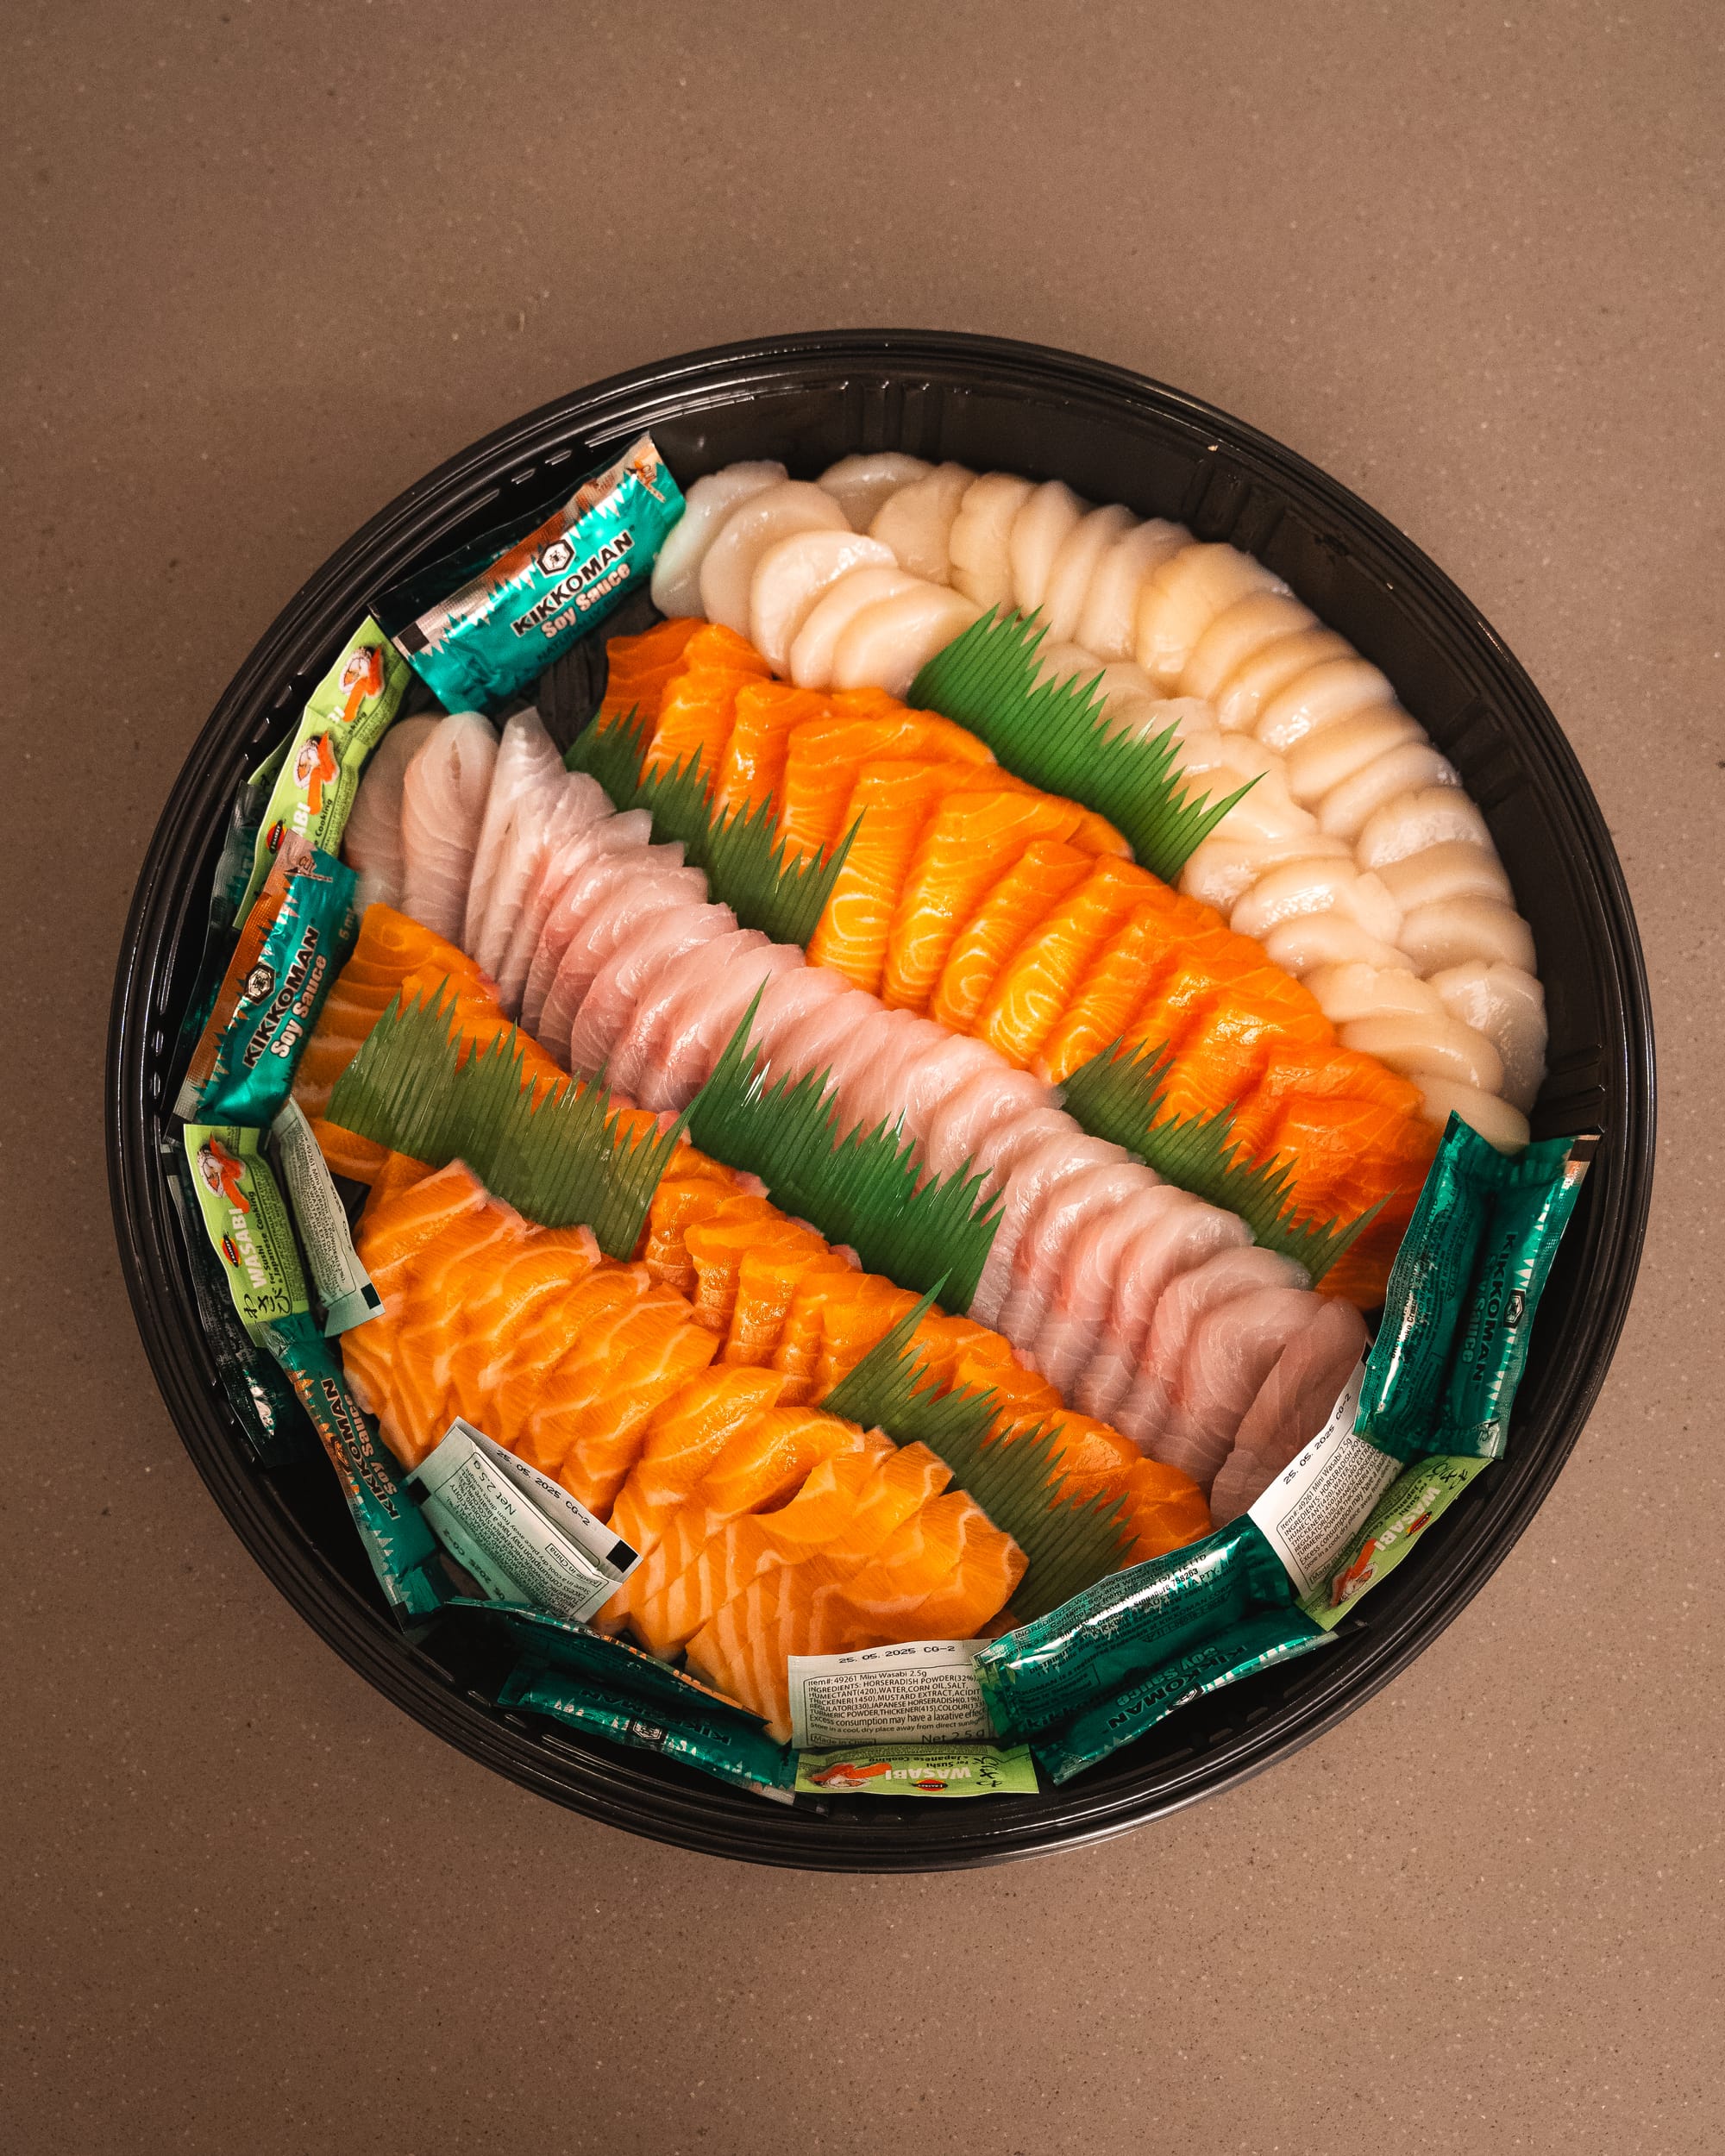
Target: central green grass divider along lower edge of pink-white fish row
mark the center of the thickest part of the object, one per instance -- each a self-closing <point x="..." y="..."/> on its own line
<point x="859" y="1187"/>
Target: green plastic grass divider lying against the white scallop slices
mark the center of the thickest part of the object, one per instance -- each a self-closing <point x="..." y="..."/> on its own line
<point x="1055" y="736"/>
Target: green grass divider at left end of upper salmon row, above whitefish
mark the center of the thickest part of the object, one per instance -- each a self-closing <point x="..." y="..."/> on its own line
<point x="745" y="866"/>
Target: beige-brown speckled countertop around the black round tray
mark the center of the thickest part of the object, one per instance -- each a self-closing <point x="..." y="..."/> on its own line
<point x="266" y="266"/>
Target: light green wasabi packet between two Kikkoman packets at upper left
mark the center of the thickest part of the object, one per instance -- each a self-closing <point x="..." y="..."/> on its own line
<point x="320" y="771"/>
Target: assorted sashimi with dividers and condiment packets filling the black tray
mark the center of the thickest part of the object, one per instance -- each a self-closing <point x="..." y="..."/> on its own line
<point x="879" y="1118"/>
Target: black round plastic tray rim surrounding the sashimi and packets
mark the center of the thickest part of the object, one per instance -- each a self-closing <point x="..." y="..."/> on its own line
<point x="1116" y="439"/>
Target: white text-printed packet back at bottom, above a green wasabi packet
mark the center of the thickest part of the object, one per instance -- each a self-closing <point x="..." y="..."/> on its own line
<point x="920" y="1691"/>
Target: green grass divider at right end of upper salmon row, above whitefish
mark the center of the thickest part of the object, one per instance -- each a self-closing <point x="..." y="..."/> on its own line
<point x="1120" y="1096"/>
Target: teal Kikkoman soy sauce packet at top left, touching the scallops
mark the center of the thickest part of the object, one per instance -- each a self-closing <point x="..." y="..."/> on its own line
<point x="538" y="592"/>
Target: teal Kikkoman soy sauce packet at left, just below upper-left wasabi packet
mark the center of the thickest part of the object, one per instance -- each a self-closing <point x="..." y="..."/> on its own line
<point x="292" y="945"/>
